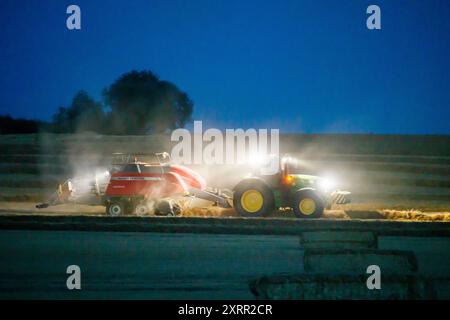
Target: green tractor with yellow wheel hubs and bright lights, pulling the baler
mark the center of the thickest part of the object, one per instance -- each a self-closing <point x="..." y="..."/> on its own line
<point x="308" y="196"/>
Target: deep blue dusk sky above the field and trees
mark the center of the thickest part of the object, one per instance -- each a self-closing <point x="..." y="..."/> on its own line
<point x="304" y="66"/>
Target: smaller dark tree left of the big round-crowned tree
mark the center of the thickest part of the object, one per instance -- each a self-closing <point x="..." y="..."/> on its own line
<point x="84" y="114"/>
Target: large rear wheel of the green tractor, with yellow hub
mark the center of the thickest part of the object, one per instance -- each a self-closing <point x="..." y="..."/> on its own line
<point x="253" y="198"/>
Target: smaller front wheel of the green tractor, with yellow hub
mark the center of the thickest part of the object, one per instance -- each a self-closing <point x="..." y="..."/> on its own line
<point x="307" y="204"/>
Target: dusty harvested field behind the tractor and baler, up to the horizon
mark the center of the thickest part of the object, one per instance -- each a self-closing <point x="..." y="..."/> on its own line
<point x="390" y="177"/>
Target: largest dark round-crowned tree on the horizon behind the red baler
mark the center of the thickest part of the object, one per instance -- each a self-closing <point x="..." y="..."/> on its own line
<point x="141" y="103"/>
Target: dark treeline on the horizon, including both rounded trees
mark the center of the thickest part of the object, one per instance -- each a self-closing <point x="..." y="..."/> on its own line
<point x="136" y="103"/>
